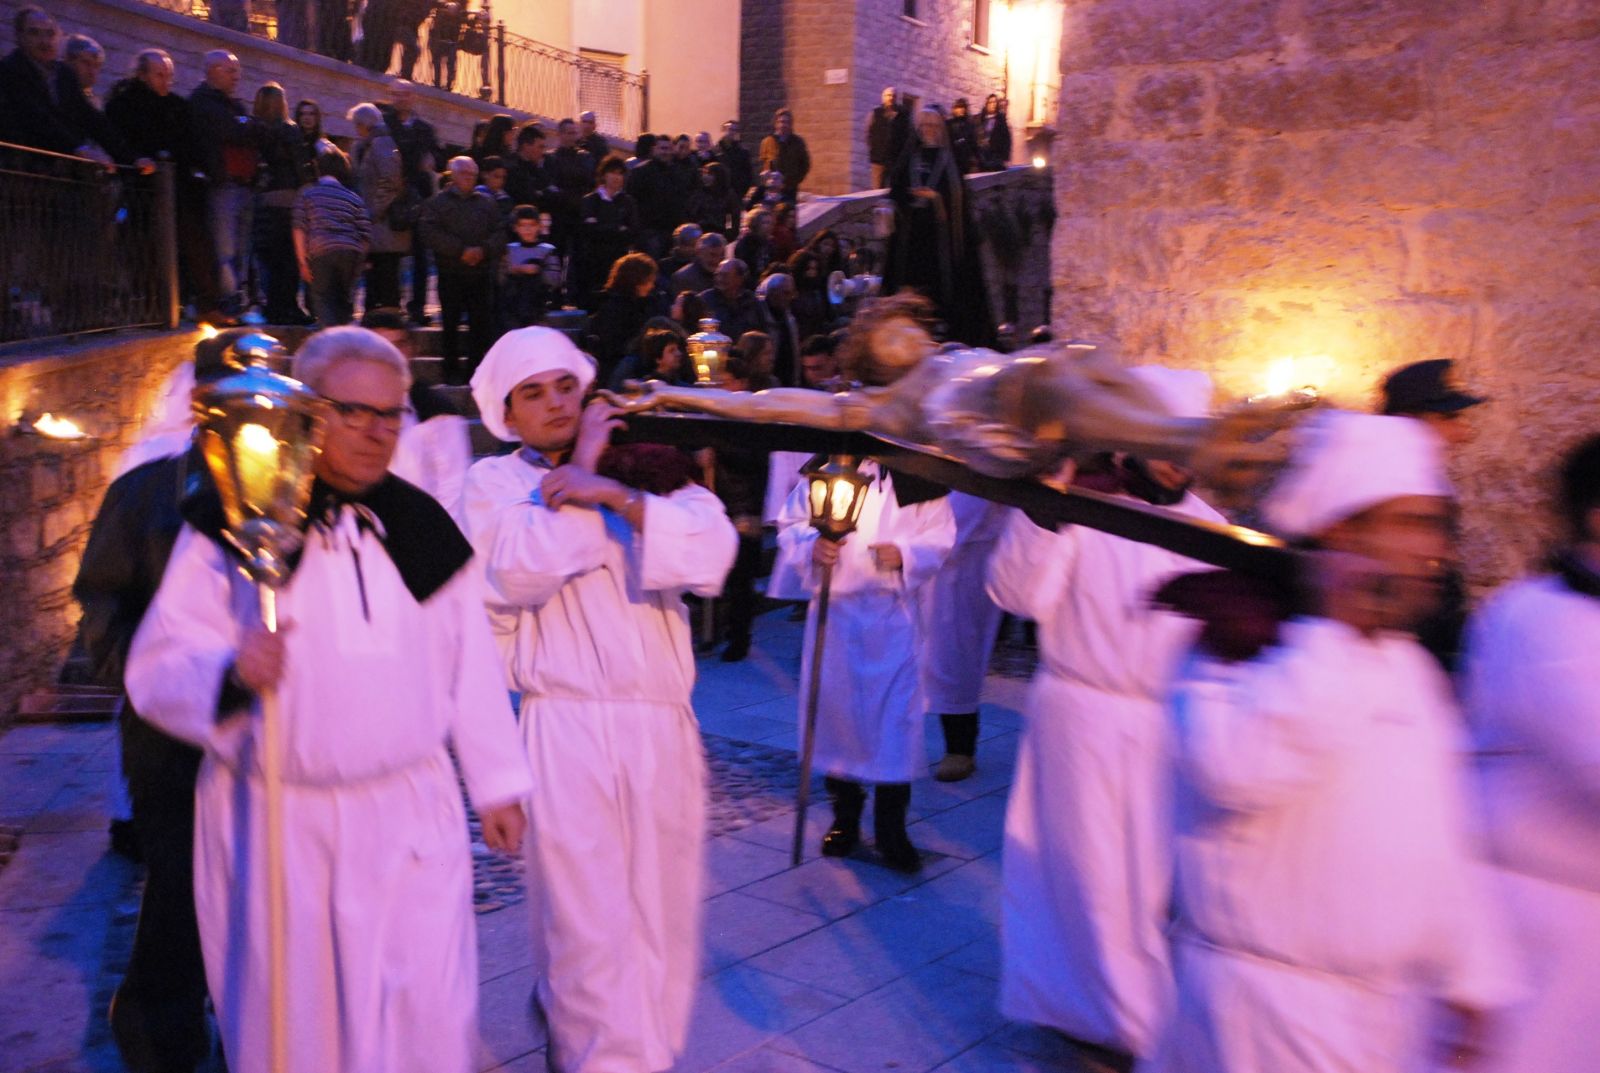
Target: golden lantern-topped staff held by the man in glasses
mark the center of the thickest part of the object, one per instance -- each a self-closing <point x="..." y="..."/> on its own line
<point x="262" y="434"/>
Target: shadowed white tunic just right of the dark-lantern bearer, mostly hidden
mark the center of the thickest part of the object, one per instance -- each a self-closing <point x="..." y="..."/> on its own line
<point x="962" y="621"/>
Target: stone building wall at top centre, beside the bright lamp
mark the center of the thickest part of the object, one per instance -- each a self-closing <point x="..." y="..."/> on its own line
<point x="788" y="47"/>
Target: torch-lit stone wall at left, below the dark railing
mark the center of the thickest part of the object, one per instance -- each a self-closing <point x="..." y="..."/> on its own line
<point x="52" y="489"/>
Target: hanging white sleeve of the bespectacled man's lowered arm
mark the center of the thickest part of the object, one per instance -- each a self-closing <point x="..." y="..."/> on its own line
<point x="482" y="724"/>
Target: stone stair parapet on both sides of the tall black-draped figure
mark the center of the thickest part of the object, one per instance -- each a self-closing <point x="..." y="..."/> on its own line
<point x="1017" y="201"/>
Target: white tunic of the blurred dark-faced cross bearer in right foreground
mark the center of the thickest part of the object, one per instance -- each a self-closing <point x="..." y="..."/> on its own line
<point x="1327" y="885"/>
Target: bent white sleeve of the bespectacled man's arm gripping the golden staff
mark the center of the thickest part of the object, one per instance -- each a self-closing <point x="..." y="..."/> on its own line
<point x="186" y="644"/>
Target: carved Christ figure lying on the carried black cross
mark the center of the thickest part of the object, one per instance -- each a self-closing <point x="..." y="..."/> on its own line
<point x="1018" y="415"/>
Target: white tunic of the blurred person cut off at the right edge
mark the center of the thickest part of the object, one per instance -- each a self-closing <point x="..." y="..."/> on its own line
<point x="1534" y="677"/>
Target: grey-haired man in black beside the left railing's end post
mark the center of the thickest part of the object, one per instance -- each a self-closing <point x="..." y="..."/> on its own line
<point x="156" y="124"/>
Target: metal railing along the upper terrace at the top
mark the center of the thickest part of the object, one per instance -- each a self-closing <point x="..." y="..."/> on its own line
<point x="506" y="68"/>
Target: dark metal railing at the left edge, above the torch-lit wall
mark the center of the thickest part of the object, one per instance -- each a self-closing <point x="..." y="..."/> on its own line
<point x="86" y="249"/>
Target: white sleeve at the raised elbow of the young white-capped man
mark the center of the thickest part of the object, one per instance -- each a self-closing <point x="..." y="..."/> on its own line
<point x="687" y="543"/>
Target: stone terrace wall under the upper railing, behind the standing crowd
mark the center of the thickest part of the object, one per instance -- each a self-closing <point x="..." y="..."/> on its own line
<point x="126" y="28"/>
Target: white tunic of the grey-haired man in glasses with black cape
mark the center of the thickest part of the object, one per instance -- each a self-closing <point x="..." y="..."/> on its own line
<point x="382" y="947"/>
